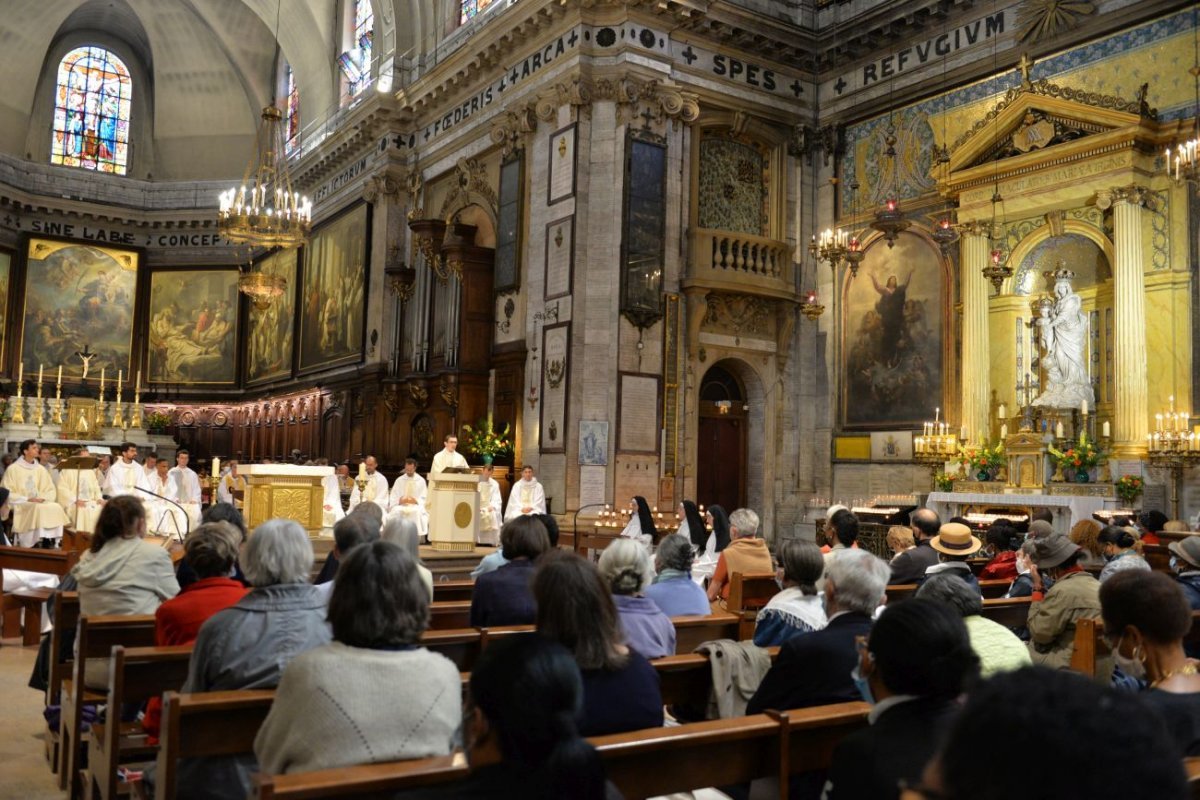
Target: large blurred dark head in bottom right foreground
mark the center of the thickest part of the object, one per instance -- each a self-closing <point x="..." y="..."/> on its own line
<point x="1040" y="733"/>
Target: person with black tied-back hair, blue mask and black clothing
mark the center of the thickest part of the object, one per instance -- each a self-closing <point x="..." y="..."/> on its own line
<point x="913" y="669"/>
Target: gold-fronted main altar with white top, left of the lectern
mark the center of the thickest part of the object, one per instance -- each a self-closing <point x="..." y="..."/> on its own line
<point x="285" y="492"/>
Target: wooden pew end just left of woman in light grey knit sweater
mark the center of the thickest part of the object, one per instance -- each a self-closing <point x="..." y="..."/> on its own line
<point x="213" y="724"/>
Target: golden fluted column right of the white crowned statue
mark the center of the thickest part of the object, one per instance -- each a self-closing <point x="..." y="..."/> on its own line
<point x="1132" y="422"/>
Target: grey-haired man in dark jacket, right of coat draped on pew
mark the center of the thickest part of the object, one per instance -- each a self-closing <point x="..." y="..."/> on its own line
<point x="815" y="669"/>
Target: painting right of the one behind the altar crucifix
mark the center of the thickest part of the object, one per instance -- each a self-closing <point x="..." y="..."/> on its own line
<point x="194" y="327"/>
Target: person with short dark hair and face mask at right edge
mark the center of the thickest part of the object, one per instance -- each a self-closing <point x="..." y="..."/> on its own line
<point x="1145" y="621"/>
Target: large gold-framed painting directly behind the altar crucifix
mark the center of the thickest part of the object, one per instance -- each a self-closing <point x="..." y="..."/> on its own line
<point x="80" y="299"/>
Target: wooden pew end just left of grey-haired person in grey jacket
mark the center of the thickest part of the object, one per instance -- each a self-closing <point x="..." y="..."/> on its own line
<point x="136" y="676"/>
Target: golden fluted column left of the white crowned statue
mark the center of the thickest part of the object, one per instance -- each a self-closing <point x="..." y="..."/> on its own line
<point x="976" y="354"/>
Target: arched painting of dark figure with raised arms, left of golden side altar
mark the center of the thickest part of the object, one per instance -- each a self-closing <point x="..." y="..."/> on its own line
<point x="892" y="336"/>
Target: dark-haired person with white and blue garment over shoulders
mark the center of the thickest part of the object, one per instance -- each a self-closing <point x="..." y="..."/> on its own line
<point x="799" y="609"/>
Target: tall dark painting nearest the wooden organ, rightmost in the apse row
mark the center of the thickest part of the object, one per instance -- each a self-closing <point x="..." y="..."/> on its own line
<point x="335" y="264"/>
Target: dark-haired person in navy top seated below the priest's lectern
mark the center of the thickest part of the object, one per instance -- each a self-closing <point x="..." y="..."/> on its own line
<point x="505" y="596"/>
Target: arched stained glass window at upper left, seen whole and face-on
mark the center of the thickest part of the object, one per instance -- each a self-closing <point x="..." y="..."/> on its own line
<point x="92" y="112"/>
